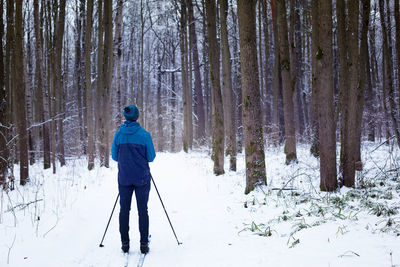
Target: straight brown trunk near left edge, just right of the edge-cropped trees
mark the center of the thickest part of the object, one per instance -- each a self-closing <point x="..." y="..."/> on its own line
<point x="20" y="96"/>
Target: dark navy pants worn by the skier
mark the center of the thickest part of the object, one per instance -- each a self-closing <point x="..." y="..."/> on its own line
<point x="142" y="197"/>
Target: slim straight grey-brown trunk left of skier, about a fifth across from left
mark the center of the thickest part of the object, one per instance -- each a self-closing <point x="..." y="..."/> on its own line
<point x="88" y="84"/>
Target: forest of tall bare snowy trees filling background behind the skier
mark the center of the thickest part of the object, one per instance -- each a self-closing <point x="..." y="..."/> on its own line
<point x="226" y="77"/>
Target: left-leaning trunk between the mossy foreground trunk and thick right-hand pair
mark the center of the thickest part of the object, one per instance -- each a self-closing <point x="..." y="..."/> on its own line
<point x="287" y="84"/>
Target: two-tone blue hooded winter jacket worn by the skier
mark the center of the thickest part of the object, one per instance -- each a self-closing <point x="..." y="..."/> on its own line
<point x="133" y="149"/>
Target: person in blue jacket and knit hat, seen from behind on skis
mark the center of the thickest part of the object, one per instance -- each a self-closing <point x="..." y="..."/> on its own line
<point x="133" y="149"/>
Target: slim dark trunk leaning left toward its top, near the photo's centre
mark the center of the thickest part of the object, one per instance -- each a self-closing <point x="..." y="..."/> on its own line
<point x="198" y="95"/>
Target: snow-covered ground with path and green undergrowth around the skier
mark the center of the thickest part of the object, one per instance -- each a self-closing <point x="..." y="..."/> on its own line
<point x="58" y="220"/>
